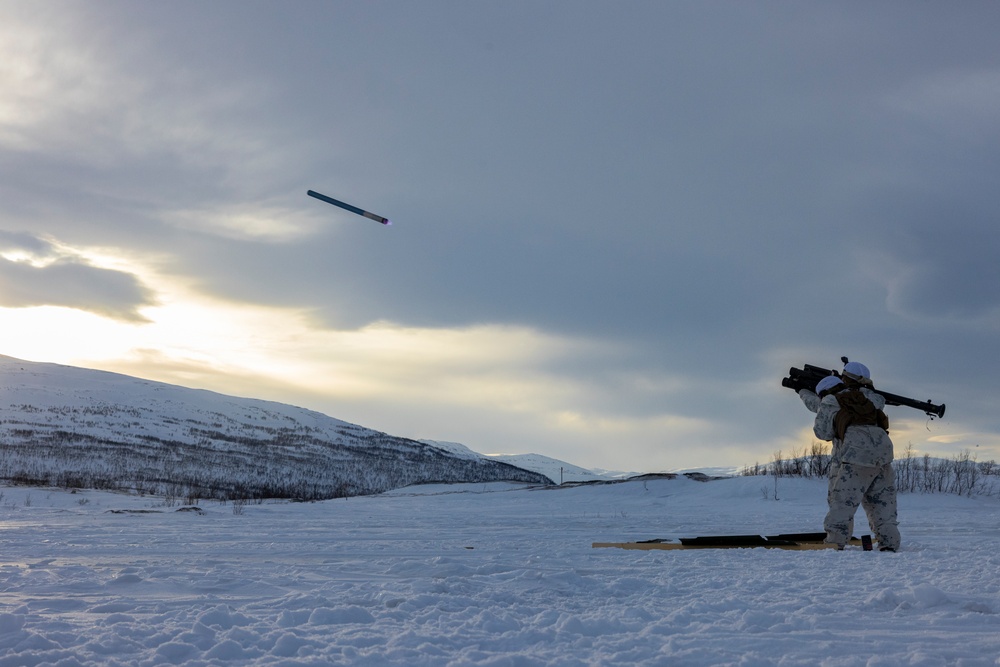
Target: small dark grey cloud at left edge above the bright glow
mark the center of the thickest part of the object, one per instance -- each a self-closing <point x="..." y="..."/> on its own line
<point x="37" y="272"/>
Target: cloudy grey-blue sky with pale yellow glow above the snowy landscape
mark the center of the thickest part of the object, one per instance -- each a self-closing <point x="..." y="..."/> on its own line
<point x="615" y="226"/>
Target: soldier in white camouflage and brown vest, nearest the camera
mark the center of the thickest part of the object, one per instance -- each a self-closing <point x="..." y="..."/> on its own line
<point x="849" y="414"/>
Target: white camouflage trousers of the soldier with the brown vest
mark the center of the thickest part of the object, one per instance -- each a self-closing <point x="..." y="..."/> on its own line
<point x="874" y="487"/>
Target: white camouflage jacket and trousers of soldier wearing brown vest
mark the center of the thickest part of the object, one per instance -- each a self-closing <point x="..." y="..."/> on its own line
<point x="860" y="474"/>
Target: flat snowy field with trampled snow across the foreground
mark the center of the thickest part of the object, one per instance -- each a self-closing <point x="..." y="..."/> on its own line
<point x="491" y="575"/>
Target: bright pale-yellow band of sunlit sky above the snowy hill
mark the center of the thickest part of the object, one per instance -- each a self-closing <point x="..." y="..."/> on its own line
<point x="487" y="381"/>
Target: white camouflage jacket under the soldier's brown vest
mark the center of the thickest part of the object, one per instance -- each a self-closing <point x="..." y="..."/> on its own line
<point x="862" y="445"/>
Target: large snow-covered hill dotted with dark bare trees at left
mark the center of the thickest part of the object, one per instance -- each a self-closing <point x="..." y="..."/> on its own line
<point x="75" y="427"/>
